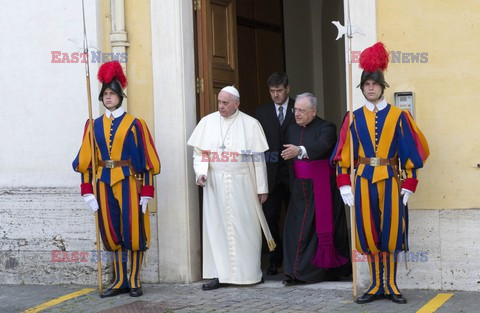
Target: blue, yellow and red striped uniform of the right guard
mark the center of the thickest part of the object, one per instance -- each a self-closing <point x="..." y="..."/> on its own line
<point x="381" y="218"/>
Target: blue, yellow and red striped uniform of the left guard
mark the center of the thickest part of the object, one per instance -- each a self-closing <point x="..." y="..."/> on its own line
<point x="123" y="226"/>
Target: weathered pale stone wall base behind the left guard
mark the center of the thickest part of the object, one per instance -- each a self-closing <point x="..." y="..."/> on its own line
<point x="47" y="236"/>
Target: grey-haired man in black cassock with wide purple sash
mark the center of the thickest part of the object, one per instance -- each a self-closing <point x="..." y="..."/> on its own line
<point x="316" y="245"/>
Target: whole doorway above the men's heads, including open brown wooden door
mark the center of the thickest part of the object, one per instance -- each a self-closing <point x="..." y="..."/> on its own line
<point x="242" y="42"/>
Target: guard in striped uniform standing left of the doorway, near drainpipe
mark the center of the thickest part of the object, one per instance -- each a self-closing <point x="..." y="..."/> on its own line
<point x="126" y="161"/>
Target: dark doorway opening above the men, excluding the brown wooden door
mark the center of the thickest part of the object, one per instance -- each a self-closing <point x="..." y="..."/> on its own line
<point x="296" y="37"/>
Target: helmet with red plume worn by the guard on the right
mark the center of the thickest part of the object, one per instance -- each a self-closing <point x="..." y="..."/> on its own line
<point x="374" y="61"/>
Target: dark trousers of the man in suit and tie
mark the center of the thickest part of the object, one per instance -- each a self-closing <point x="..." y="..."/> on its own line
<point x="272" y="209"/>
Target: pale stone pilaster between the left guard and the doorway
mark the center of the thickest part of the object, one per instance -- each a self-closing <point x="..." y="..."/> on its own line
<point x="175" y="117"/>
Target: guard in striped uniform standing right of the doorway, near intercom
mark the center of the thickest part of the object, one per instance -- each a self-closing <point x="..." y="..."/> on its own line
<point x="385" y="139"/>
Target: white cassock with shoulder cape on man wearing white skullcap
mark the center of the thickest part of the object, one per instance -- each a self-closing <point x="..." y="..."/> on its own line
<point x="232" y="238"/>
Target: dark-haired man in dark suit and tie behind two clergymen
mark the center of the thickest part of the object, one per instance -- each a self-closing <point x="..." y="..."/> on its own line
<point x="275" y="117"/>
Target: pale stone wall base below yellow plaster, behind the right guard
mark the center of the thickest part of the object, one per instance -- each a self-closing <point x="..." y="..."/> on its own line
<point x="444" y="252"/>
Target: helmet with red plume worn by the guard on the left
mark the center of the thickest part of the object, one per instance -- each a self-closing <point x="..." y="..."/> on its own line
<point x="111" y="75"/>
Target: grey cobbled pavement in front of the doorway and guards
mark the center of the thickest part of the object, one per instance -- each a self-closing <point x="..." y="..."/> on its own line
<point x="271" y="296"/>
